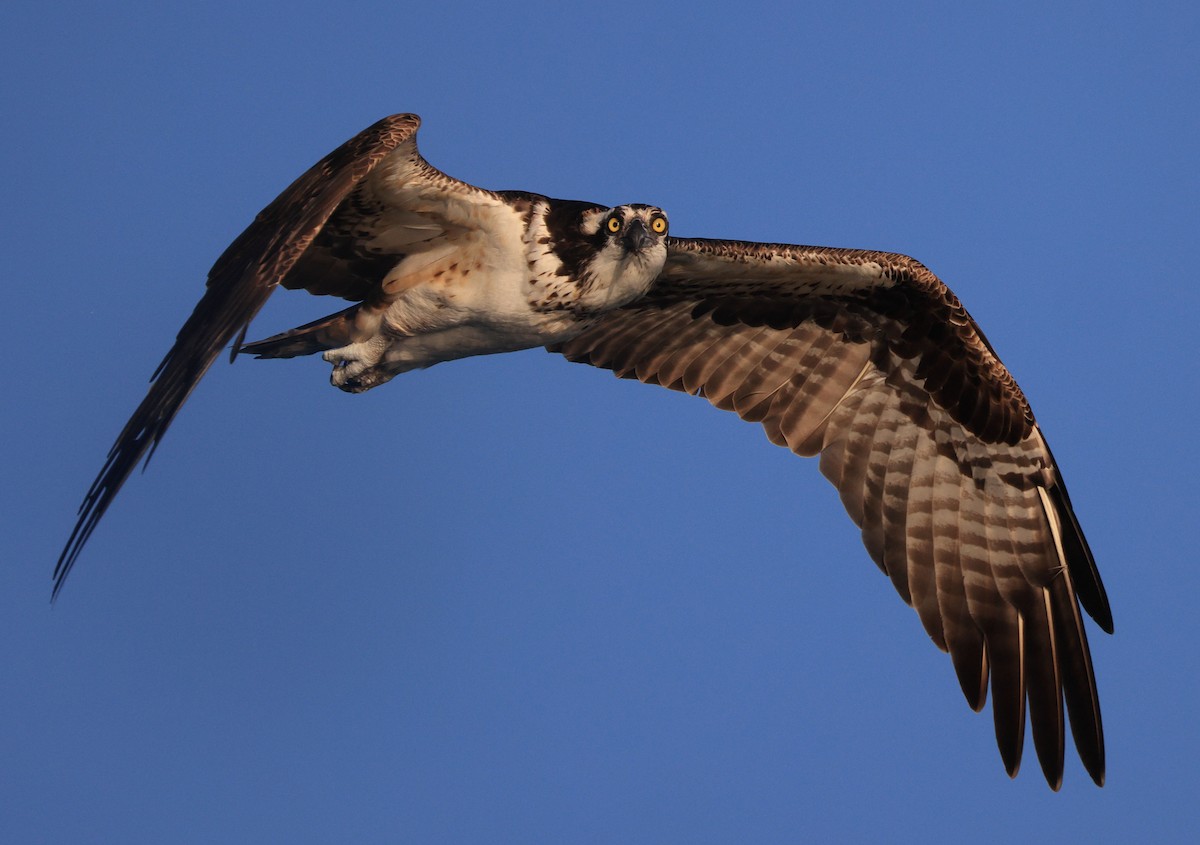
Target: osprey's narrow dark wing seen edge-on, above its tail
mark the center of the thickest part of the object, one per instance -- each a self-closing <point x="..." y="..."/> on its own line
<point x="335" y="231"/>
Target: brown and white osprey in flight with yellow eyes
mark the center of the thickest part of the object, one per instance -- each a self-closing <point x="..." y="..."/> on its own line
<point x="865" y="358"/>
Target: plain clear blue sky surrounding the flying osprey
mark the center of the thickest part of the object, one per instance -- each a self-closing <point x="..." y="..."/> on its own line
<point x="515" y="600"/>
